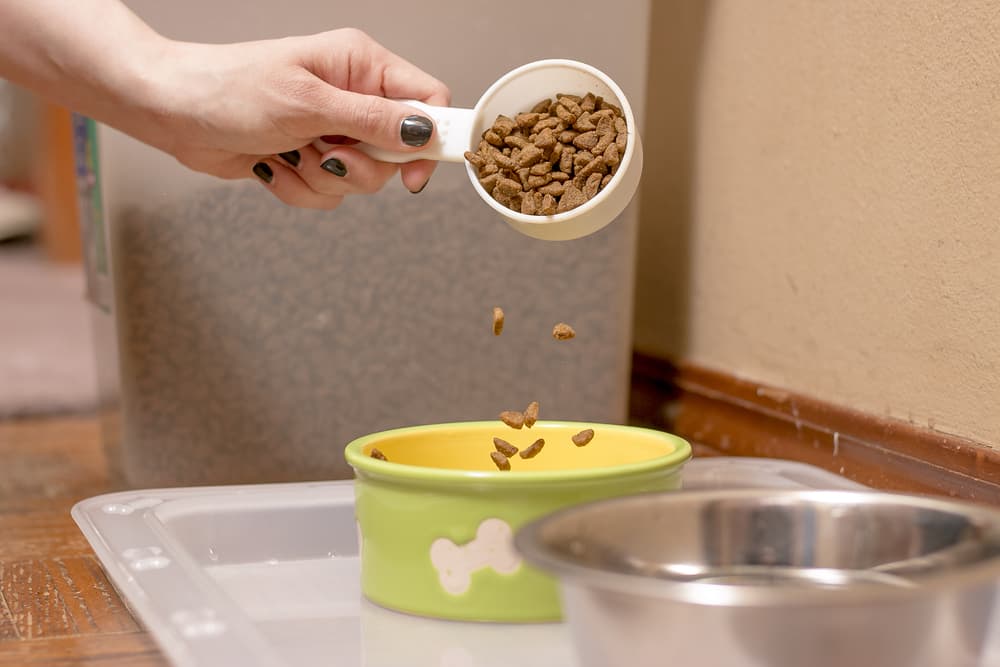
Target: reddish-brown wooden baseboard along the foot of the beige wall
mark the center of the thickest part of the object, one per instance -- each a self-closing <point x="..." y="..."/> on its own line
<point x="724" y="415"/>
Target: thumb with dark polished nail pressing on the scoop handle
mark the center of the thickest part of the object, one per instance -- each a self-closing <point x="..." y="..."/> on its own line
<point x="374" y="120"/>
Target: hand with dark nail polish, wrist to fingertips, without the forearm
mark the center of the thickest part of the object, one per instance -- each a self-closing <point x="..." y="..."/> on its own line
<point x="253" y="109"/>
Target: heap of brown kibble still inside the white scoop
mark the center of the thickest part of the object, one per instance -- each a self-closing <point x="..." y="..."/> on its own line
<point x="553" y="158"/>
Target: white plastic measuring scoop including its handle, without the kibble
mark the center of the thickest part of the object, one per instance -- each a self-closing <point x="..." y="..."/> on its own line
<point x="460" y="130"/>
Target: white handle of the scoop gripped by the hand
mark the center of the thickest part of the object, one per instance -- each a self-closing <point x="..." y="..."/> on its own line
<point x="452" y="131"/>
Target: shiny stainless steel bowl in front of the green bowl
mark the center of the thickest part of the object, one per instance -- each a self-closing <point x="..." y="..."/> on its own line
<point x="772" y="578"/>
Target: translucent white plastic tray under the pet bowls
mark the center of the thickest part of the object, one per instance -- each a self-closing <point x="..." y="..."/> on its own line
<point x="267" y="575"/>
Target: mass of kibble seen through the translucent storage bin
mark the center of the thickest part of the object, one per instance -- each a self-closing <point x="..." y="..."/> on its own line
<point x="256" y="340"/>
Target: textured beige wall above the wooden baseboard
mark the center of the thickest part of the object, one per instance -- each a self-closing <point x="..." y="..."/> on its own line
<point x="826" y="212"/>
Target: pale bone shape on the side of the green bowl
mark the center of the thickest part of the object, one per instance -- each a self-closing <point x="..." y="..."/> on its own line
<point x="492" y="548"/>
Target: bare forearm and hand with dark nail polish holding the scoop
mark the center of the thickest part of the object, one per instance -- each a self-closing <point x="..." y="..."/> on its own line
<point x="229" y="110"/>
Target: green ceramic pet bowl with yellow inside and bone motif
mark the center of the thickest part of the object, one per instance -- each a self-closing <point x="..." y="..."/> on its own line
<point x="436" y="520"/>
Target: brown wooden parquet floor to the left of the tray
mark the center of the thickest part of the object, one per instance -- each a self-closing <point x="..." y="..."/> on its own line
<point x="56" y="605"/>
